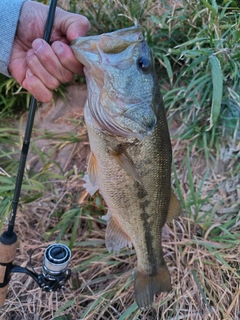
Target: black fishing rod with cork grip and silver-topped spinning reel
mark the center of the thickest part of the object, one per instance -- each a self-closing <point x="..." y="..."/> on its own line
<point x="56" y="256"/>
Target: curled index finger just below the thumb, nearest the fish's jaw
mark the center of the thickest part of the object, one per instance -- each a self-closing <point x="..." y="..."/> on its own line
<point x="66" y="57"/>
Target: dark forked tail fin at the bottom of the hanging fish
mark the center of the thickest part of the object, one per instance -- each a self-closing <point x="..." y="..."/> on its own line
<point x="146" y="286"/>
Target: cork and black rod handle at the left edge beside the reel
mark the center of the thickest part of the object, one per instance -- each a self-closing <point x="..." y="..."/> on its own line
<point x="8" y="247"/>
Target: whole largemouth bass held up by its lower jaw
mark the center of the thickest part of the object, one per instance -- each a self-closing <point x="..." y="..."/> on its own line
<point x="131" y="153"/>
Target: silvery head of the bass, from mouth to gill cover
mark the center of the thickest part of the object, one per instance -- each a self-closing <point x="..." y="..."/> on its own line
<point x="121" y="81"/>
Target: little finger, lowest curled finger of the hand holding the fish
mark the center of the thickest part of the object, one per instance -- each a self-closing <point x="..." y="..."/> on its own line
<point x="35" y="86"/>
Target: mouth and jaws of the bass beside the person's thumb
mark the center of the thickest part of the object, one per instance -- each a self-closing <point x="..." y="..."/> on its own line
<point x="98" y="52"/>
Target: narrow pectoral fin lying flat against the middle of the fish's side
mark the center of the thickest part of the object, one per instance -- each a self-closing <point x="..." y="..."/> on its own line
<point x="125" y="162"/>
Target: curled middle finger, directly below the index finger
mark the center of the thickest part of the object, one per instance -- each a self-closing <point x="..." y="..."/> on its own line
<point x="50" y="62"/>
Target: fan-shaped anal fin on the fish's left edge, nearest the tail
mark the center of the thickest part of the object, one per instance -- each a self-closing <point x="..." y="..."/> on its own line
<point x="115" y="237"/>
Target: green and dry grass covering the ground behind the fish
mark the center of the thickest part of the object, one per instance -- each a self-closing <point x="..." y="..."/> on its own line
<point x="196" y="48"/>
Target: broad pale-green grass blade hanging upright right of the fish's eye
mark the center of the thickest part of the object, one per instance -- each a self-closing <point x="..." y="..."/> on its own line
<point x="217" y="80"/>
